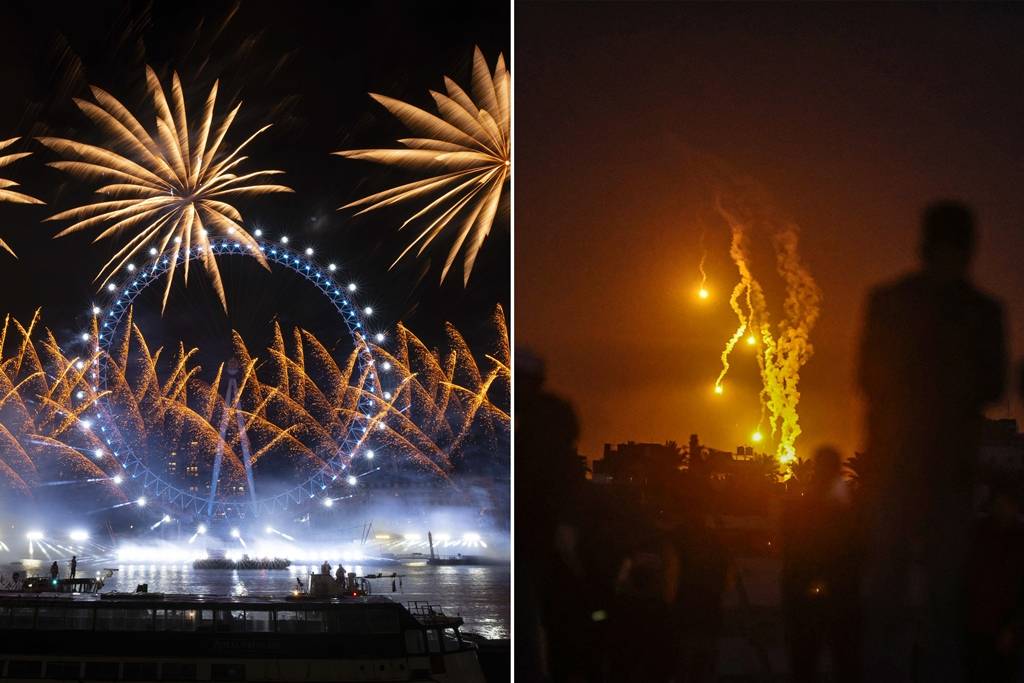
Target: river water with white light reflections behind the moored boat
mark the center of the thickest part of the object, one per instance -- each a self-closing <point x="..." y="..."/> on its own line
<point x="481" y="594"/>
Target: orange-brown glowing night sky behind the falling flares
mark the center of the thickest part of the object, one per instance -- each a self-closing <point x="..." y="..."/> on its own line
<point x="849" y="117"/>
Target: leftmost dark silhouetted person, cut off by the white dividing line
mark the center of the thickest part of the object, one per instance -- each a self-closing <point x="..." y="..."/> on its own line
<point x="560" y="636"/>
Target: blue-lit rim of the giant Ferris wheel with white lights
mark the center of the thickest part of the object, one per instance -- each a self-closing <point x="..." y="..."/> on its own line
<point x="338" y="466"/>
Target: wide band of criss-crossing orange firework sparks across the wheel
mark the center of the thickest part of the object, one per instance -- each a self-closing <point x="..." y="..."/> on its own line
<point x="303" y="415"/>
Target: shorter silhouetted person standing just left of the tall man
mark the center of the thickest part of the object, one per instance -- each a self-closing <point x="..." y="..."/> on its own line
<point x="821" y="581"/>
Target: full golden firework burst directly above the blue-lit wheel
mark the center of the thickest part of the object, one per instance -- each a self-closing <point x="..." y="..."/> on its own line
<point x="169" y="189"/>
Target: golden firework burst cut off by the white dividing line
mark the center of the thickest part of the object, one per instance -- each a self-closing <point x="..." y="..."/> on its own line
<point x="468" y="148"/>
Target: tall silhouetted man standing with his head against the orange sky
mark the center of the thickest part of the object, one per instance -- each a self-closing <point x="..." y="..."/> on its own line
<point x="932" y="357"/>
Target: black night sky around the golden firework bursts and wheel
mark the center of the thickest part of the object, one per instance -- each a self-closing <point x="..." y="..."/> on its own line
<point x="305" y="67"/>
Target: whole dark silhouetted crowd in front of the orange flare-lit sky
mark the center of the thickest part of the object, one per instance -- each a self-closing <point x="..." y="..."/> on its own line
<point x="911" y="571"/>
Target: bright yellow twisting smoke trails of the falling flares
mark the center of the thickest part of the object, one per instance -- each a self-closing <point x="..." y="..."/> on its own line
<point x="787" y="349"/>
